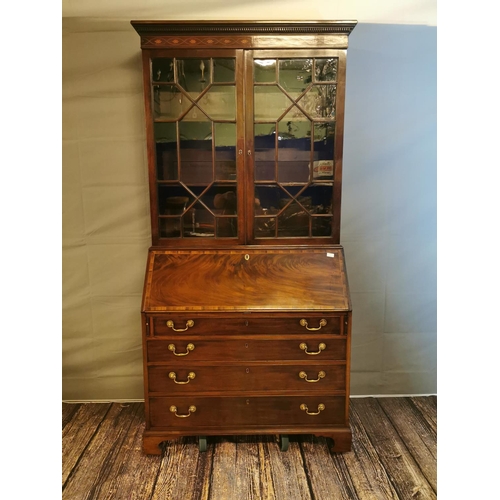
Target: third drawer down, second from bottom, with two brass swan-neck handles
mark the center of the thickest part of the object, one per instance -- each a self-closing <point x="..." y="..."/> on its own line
<point x="192" y="378"/>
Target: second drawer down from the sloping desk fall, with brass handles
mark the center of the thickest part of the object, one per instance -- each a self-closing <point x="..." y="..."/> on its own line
<point x="182" y="350"/>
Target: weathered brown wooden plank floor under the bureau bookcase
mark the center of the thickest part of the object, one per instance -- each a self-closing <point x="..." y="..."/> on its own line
<point x="393" y="457"/>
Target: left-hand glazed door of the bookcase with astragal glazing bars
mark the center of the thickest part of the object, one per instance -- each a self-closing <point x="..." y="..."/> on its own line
<point x="195" y="103"/>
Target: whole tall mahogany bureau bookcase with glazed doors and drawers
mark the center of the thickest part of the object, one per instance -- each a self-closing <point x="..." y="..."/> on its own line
<point x="246" y="310"/>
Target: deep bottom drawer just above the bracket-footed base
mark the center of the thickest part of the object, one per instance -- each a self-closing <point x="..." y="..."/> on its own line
<point x="198" y="412"/>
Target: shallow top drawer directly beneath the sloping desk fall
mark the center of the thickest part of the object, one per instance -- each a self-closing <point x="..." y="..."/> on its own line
<point x="167" y="325"/>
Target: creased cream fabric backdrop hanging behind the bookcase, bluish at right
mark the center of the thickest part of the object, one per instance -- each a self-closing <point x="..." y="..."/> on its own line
<point x="388" y="218"/>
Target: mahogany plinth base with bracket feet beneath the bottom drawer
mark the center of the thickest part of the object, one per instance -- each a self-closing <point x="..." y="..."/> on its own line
<point x="341" y="437"/>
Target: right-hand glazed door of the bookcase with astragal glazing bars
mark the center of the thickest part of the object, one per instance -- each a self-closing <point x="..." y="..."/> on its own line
<point x="294" y="106"/>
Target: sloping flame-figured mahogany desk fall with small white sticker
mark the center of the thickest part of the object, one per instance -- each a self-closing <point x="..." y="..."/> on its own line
<point x="247" y="279"/>
